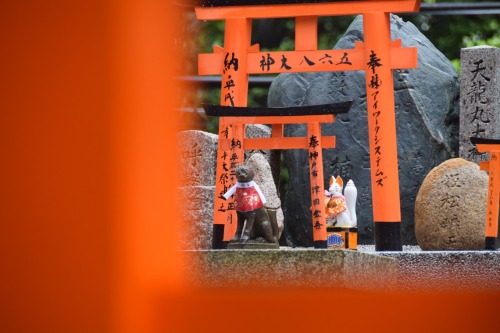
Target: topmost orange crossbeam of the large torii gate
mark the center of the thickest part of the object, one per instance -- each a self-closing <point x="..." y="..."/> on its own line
<point x="298" y="10"/>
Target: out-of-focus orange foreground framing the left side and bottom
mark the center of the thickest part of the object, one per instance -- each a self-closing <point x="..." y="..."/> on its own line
<point x="87" y="218"/>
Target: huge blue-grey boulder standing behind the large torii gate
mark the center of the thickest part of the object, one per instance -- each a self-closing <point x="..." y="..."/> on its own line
<point x="426" y="102"/>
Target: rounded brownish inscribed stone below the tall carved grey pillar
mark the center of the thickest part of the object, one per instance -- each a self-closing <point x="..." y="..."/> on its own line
<point x="450" y="209"/>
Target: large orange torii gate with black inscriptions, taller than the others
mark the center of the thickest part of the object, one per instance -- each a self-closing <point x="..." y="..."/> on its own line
<point x="378" y="56"/>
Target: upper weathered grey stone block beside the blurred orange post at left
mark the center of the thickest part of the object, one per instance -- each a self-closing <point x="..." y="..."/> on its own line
<point x="198" y="154"/>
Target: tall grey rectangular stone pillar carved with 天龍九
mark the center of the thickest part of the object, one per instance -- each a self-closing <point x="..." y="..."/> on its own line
<point x="479" y="98"/>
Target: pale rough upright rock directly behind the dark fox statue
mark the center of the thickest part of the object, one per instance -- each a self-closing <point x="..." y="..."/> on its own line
<point x="263" y="177"/>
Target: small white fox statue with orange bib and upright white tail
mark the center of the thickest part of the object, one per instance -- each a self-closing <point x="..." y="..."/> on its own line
<point x="341" y="209"/>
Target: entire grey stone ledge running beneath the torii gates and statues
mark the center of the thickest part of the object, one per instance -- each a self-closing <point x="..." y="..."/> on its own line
<point x="410" y="270"/>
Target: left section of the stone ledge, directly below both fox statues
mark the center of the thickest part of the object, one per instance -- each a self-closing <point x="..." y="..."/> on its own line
<point x="289" y="267"/>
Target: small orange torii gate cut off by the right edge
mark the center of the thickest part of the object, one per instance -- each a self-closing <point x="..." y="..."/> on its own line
<point x="491" y="146"/>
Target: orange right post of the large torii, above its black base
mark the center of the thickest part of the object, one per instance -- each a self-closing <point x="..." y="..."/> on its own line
<point x="381" y="119"/>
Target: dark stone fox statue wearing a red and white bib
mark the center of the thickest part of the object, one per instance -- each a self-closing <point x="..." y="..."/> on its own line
<point x="253" y="218"/>
